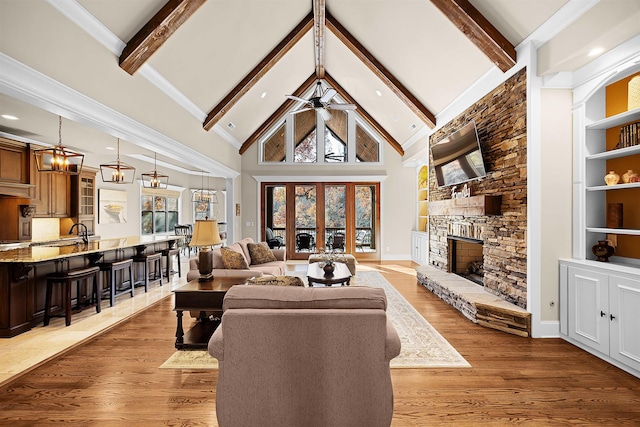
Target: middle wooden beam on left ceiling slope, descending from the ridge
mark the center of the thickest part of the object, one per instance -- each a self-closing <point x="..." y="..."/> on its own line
<point x="258" y="71"/>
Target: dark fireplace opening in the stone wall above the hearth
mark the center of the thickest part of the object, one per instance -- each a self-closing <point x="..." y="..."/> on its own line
<point x="465" y="258"/>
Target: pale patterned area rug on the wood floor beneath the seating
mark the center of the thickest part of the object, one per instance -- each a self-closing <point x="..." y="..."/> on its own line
<point x="422" y="345"/>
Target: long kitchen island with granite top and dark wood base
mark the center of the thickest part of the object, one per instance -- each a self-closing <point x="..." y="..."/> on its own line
<point x="23" y="273"/>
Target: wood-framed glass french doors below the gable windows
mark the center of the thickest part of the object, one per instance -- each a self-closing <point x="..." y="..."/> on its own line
<point x="311" y="217"/>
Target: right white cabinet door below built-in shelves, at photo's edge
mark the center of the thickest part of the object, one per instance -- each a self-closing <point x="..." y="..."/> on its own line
<point x="624" y="303"/>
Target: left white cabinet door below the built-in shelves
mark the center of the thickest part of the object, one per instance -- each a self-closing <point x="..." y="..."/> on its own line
<point x="589" y="308"/>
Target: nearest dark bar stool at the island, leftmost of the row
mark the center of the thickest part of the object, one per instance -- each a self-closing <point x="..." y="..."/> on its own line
<point x="66" y="278"/>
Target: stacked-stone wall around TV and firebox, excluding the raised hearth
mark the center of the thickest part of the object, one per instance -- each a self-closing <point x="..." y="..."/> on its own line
<point x="501" y="122"/>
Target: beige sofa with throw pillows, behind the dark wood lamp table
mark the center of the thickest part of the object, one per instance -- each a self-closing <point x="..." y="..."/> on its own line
<point x="274" y="268"/>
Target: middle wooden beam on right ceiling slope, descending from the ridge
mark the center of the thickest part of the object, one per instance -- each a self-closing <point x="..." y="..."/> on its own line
<point x="380" y="71"/>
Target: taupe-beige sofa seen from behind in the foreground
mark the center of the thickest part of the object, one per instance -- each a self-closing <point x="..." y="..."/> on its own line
<point x="296" y="356"/>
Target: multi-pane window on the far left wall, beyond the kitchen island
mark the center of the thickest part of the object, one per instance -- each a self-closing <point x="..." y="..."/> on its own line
<point x="159" y="214"/>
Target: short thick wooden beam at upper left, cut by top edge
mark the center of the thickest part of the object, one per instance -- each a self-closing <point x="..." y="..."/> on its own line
<point x="155" y="32"/>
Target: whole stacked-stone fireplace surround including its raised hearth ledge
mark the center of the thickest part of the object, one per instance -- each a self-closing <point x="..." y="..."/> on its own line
<point x="500" y="118"/>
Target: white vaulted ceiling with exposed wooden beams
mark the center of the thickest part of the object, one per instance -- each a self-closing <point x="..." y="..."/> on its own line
<point x="198" y="80"/>
